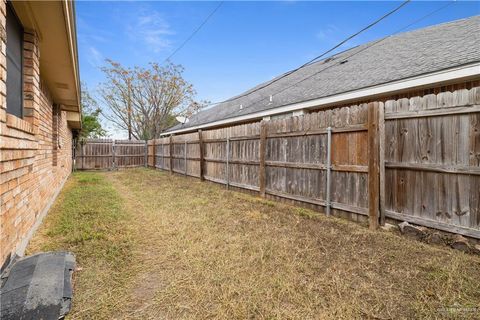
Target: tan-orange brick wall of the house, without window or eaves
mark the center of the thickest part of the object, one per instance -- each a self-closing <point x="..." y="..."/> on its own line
<point x="35" y="152"/>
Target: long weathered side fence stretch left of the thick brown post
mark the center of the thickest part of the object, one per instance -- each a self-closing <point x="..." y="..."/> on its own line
<point x="285" y="158"/>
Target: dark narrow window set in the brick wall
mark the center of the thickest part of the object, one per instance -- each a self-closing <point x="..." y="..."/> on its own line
<point x="14" y="63"/>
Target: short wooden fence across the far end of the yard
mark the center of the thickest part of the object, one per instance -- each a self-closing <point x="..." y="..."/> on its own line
<point x="110" y="154"/>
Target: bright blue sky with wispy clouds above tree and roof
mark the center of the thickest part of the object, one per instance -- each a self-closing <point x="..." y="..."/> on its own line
<point x="244" y="43"/>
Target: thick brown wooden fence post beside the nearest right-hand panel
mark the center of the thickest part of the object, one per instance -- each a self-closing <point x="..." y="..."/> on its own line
<point x="373" y="165"/>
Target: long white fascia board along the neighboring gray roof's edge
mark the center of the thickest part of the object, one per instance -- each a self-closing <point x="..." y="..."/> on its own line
<point x="457" y="73"/>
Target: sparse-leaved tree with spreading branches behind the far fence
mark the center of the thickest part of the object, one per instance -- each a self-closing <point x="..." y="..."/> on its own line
<point x="145" y="101"/>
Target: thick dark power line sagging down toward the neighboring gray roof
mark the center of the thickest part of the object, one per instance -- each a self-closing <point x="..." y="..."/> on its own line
<point x="317" y="57"/>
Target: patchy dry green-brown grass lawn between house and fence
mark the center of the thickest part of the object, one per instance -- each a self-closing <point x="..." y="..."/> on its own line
<point x="150" y="245"/>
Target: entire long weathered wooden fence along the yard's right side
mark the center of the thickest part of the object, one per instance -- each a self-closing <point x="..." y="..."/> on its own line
<point x="415" y="160"/>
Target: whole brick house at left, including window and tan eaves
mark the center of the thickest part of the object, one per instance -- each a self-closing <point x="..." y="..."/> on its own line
<point x="39" y="113"/>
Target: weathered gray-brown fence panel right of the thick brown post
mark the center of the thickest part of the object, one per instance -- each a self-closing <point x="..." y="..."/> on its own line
<point x="432" y="153"/>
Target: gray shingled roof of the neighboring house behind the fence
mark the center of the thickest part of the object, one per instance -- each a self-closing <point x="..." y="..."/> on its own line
<point x="383" y="61"/>
